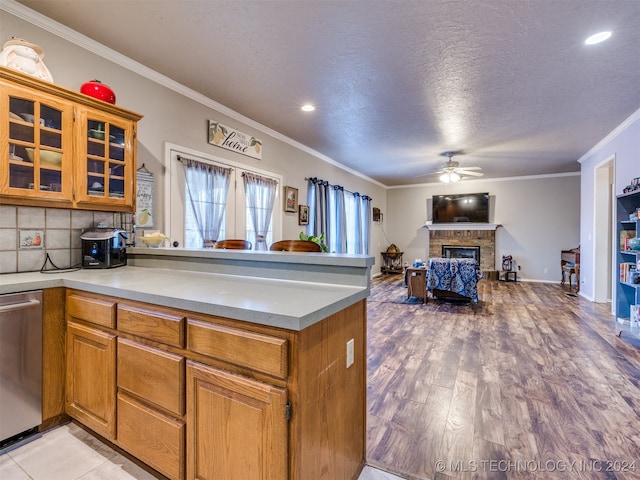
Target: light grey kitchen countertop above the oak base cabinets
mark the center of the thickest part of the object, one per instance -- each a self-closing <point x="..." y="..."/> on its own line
<point x="290" y="304"/>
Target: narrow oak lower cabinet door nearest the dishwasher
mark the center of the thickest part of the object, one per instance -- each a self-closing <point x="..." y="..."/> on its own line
<point x="91" y="378"/>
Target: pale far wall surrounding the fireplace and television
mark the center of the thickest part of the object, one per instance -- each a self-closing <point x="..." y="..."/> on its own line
<point x="539" y="218"/>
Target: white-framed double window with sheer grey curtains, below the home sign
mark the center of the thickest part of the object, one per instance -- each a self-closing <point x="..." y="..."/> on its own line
<point x="236" y="222"/>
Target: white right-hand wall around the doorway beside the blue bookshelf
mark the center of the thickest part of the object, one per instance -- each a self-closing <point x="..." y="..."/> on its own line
<point x="623" y="144"/>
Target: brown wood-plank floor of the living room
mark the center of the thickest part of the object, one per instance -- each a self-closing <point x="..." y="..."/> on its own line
<point x="530" y="383"/>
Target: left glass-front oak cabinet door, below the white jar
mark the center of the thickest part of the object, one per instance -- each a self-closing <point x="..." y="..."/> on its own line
<point x="36" y="157"/>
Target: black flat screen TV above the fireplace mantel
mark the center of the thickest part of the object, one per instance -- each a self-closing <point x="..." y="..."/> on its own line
<point x="470" y="207"/>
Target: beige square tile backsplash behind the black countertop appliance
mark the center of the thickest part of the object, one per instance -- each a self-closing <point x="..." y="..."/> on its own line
<point x="59" y="233"/>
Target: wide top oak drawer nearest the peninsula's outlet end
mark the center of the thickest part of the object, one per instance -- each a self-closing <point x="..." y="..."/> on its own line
<point x="256" y="351"/>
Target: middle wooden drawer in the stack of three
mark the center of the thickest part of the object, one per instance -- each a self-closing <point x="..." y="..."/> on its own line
<point x="152" y="374"/>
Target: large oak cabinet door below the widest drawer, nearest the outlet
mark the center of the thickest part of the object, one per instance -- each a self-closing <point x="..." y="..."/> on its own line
<point x="236" y="427"/>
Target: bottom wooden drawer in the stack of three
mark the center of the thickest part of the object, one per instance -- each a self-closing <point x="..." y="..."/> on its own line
<point x="154" y="438"/>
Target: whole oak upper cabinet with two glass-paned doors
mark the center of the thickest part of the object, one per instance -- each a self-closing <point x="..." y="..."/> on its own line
<point x="60" y="148"/>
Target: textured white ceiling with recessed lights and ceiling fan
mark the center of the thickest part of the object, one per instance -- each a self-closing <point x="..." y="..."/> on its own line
<point x="395" y="83"/>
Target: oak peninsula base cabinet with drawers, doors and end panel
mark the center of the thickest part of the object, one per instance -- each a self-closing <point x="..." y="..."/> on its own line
<point x="199" y="397"/>
